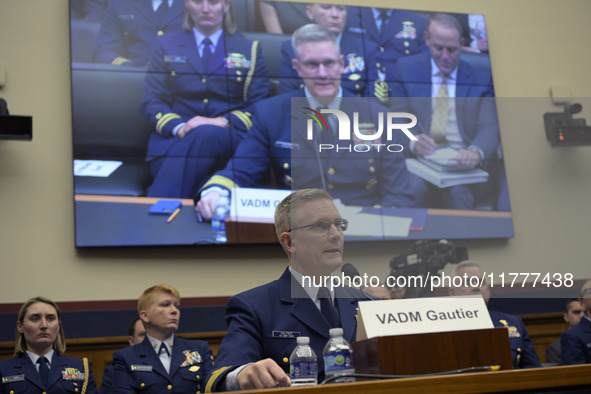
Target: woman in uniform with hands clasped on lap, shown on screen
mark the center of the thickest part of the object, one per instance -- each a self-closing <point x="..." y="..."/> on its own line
<point x="199" y="83"/>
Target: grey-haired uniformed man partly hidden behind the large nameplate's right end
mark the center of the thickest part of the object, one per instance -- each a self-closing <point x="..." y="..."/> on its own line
<point x="522" y="348"/>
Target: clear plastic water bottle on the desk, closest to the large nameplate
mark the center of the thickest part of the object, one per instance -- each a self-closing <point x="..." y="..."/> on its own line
<point x="338" y="357"/>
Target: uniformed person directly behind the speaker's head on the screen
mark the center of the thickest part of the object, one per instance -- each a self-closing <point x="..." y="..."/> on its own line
<point x="360" y="68"/>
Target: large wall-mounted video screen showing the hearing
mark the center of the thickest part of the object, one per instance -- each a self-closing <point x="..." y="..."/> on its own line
<point x="179" y="107"/>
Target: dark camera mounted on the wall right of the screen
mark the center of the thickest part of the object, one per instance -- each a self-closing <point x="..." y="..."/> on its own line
<point x="564" y="130"/>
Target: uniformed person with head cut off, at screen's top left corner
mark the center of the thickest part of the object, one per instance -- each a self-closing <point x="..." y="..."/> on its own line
<point x="129" y="27"/>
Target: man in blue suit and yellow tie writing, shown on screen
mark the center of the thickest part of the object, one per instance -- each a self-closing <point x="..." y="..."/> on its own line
<point x="454" y="104"/>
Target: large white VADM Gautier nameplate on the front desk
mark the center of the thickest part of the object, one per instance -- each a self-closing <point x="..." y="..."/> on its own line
<point x="421" y="315"/>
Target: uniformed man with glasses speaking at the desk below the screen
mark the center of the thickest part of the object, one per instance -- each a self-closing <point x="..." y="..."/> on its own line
<point x="263" y="322"/>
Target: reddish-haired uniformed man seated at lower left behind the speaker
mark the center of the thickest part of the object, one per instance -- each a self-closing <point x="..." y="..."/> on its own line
<point x="162" y="363"/>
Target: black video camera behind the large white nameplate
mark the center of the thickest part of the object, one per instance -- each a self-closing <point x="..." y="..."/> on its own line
<point x="426" y="259"/>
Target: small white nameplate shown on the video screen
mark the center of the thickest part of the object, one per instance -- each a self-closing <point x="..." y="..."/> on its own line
<point x="256" y="204"/>
